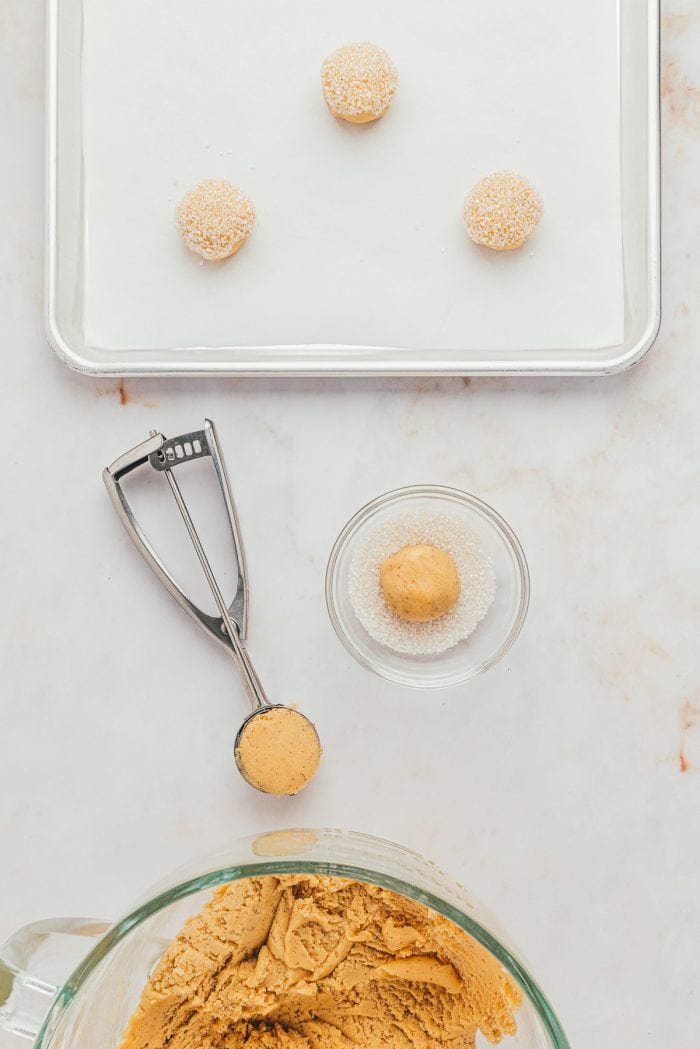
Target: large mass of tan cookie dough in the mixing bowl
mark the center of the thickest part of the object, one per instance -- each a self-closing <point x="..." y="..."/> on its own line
<point x="311" y="962"/>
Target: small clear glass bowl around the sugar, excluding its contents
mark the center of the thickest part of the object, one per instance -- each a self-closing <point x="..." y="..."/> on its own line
<point x="495" y="635"/>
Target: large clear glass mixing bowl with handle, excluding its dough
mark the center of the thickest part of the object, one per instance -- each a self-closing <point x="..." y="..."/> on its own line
<point x="91" y="1008"/>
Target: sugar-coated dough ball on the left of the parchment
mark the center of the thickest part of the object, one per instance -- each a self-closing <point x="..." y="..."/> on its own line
<point x="216" y="220"/>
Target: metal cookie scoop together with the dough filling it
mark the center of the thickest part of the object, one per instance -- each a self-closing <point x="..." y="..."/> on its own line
<point x="278" y="750"/>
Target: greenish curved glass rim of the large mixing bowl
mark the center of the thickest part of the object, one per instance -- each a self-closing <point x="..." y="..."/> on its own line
<point x="223" y="875"/>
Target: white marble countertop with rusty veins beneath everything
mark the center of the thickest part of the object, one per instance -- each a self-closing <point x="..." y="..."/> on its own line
<point x="564" y="787"/>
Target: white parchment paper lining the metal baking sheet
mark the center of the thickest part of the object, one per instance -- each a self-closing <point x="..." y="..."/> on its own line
<point x="360" y="239"/>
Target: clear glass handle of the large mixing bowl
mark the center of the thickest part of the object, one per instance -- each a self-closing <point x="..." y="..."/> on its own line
<point x="35" y="964"/>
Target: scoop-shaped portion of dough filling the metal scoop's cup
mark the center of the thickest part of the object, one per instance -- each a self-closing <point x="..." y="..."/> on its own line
<point x="279" y="751"/>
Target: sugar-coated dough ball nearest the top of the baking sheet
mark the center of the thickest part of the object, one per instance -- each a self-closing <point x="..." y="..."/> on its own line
<point x="359" y="83"/>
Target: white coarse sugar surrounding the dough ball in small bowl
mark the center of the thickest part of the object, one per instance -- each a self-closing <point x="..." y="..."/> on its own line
<point x="474" y="565"/>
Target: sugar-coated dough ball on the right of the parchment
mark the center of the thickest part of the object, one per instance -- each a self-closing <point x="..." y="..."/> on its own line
<point x="503" y="211"/>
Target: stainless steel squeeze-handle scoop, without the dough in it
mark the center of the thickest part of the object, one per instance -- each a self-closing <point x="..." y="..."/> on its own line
<point x="231" y="628"/>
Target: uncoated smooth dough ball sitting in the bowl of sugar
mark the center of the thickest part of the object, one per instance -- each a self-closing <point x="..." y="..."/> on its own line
<point x="420" y="584"/>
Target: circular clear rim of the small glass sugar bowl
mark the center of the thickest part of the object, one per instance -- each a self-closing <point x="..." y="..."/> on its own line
<point x="487" y="513"/>
